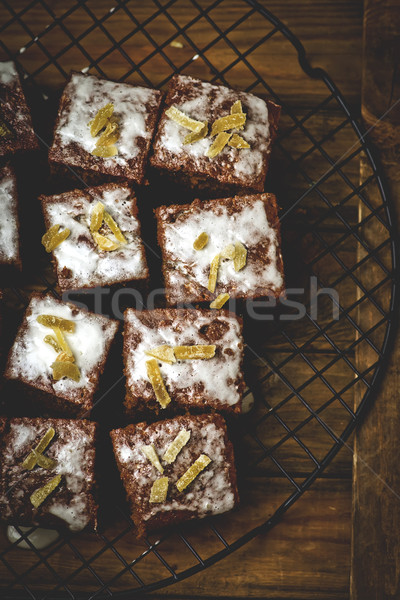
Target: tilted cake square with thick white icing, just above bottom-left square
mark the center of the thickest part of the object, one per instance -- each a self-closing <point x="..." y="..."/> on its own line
<point x="58" y="355"/>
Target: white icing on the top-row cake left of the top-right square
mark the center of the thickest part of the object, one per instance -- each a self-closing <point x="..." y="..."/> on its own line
<point x="88" y="94"/>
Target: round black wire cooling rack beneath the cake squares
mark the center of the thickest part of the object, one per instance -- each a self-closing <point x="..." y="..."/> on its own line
<point x="305" y="375"/>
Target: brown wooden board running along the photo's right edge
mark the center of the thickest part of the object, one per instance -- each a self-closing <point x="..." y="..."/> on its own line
<point x="376" y="499"/>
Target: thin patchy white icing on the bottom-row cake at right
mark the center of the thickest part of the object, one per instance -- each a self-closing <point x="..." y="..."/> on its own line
<point x="211" y="491"/>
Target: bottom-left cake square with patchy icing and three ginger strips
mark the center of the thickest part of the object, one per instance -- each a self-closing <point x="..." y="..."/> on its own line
<point x="65" y="460"/>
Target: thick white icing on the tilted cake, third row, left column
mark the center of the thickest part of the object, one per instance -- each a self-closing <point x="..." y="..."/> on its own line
<point x="31" y="357"/>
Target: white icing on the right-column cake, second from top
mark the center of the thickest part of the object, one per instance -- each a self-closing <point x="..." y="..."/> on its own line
<point x="249" y="225"/>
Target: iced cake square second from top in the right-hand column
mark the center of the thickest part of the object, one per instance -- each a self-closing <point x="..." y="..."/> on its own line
<point x="243" y="224"/>
